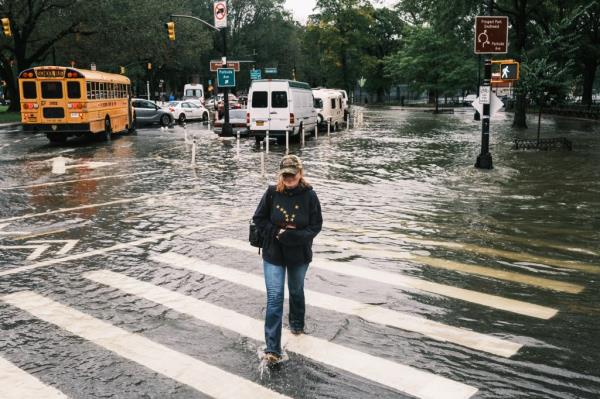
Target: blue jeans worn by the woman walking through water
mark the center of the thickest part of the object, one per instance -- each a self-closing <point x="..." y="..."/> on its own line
<point x="275" y="283"/>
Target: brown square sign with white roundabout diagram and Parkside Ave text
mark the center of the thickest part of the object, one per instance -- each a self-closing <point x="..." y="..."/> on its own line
<point x="491" y="35"/>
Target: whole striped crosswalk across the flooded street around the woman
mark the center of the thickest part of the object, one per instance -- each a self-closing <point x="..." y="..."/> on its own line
<point x="218" y="382"/>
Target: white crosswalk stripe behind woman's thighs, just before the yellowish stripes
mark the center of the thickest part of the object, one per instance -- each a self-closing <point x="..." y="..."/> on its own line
<point x="402" y="281"/>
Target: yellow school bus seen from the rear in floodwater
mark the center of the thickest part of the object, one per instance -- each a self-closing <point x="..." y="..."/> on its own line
<point x="63" y="102"/>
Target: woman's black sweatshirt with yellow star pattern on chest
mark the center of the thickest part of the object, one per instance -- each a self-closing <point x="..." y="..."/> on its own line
<point x="299" y="206"/>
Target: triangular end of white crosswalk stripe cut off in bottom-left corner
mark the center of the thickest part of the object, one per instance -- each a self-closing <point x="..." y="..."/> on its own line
<point x="17" y="384"/>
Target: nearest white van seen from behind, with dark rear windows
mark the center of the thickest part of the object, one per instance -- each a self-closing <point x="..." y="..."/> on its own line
<point x="277" y="106"/>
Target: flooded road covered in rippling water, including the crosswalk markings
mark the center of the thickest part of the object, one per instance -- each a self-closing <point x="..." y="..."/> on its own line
<point x="130" y="275"/>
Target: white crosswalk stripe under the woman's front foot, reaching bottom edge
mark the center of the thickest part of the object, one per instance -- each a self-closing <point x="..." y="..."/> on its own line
<point x="403" y="378"/>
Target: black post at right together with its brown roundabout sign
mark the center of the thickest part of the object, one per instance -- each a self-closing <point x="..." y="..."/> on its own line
<point x="491" y="37"/>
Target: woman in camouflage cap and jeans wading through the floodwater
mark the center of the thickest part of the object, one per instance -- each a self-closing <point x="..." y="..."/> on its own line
<point x="289" y="218"/>
